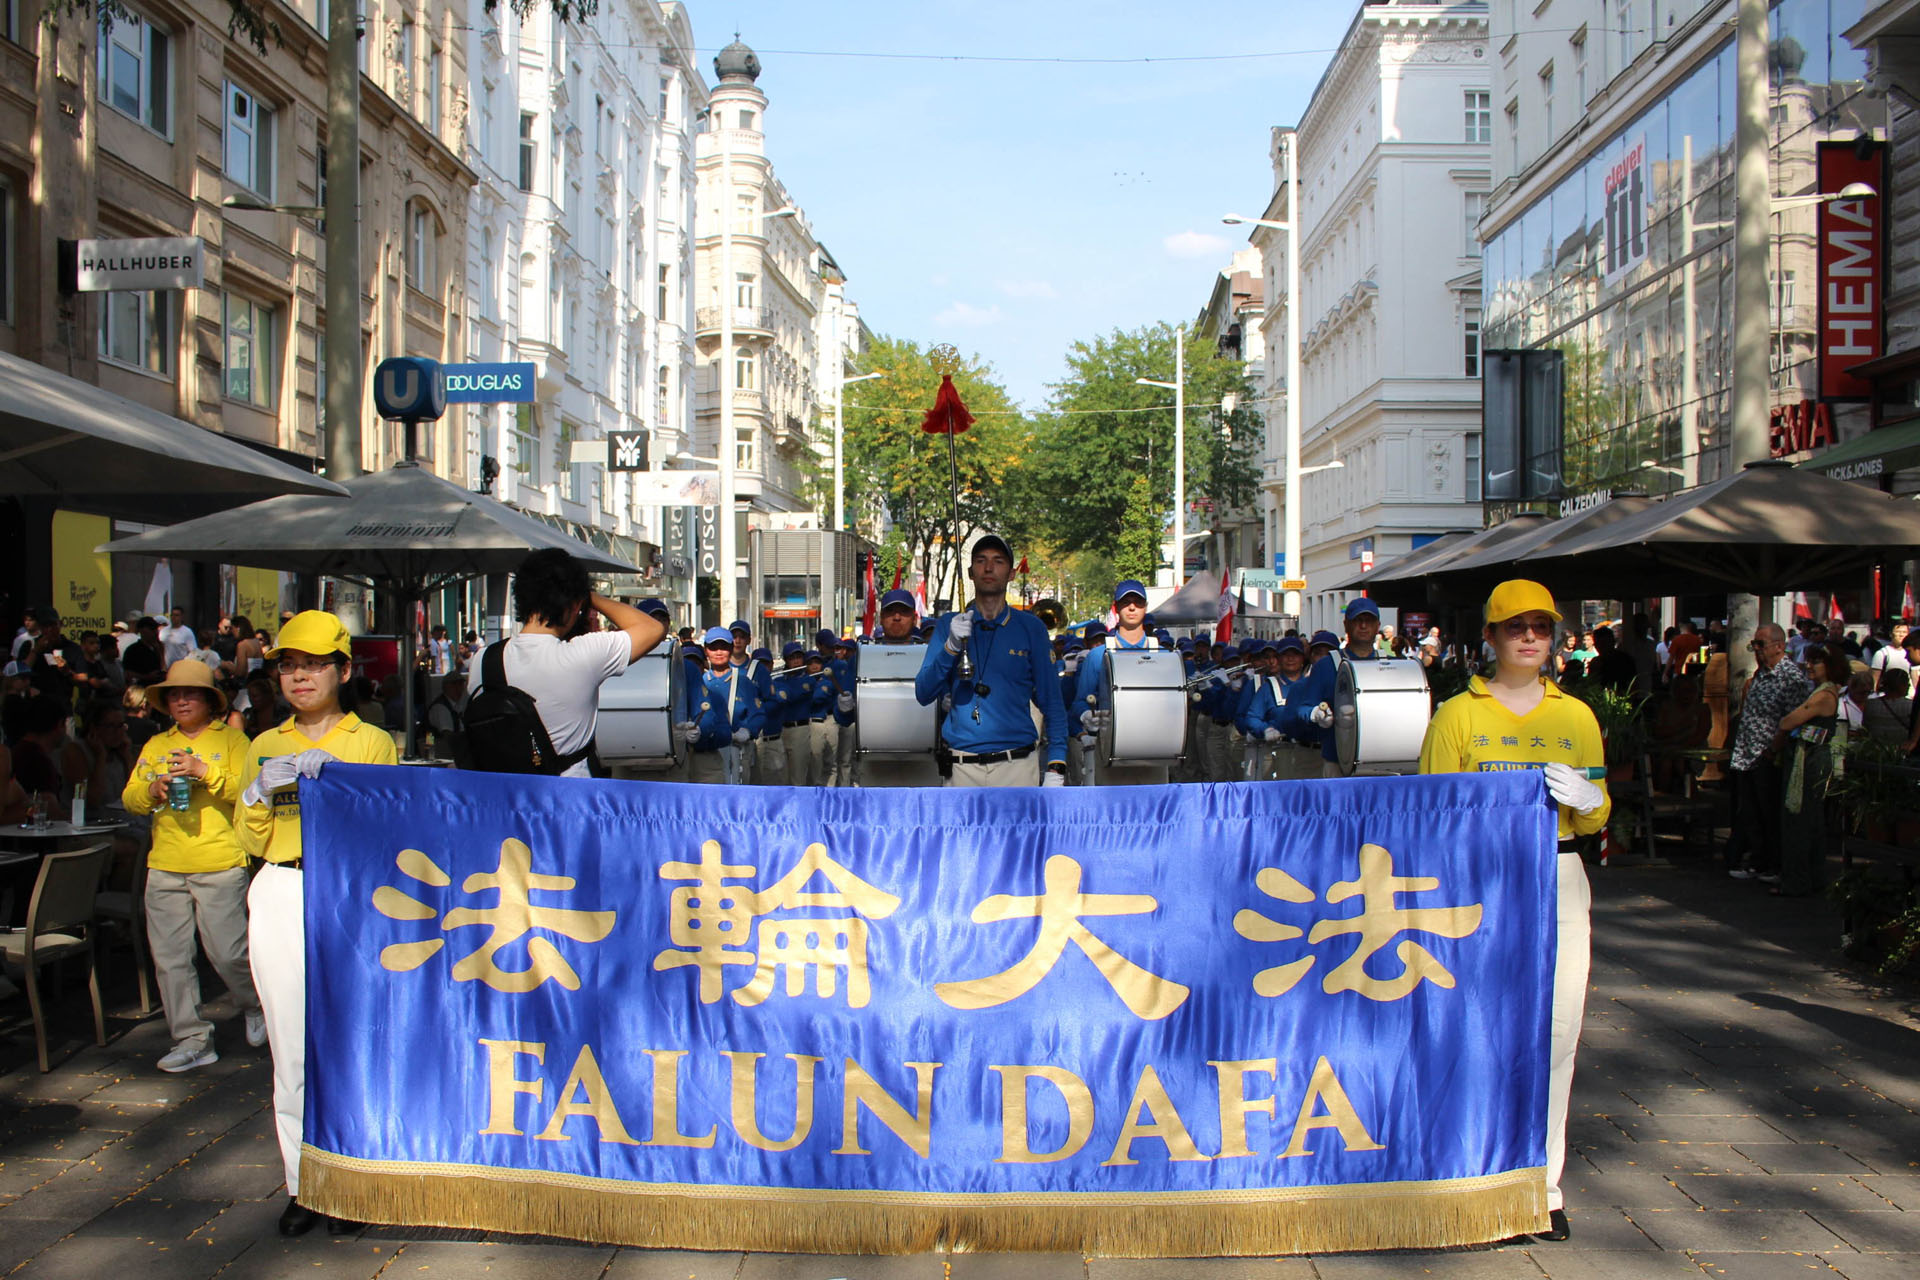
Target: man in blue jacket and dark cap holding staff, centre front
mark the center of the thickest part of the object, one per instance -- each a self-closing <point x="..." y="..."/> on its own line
<point x="994" y="663"/>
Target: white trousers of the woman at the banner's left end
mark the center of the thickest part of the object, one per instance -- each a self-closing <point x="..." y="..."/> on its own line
<point x="277" y="941"/>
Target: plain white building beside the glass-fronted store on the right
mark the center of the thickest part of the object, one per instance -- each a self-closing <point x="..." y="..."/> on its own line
<point x="1395" y="174"/>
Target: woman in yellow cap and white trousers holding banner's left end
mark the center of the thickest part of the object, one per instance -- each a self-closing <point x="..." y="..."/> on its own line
<point x="314" y="657"/>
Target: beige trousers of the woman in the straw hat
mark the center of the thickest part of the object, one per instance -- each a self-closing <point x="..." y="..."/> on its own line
<point x="176" y="905"/>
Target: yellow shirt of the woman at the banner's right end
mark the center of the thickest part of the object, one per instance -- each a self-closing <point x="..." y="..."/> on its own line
<point x="1476" y="734"/>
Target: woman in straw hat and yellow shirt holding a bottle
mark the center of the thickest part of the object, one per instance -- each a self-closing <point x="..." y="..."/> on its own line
<point x="197" y="870"/>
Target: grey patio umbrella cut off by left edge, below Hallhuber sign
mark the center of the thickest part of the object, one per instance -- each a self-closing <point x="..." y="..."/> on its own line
<point x="91" y="450"/>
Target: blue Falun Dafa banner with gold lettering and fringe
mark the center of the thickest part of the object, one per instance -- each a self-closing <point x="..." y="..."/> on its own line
<point x="1134" y="1022"/>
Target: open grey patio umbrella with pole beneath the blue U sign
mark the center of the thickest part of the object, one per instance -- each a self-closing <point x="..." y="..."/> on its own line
<point x="402" y="531"/>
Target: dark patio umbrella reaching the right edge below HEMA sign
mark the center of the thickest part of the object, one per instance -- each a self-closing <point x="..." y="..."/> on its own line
<point x="1764" y="531"/>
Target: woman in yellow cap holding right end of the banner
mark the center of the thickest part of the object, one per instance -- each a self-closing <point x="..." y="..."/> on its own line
<point x="1518" y="717"/>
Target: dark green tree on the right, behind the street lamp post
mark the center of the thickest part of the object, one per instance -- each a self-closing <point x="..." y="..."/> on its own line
<point x="1103" y="431"/>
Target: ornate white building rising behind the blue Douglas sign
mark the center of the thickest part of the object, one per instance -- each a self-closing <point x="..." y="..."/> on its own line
<point x="581" y="254"/>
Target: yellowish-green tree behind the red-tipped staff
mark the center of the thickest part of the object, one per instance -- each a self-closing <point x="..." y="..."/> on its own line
<point x="898" y="469"/>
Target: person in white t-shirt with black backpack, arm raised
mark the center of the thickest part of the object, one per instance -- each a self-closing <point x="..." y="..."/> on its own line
<point x="560" y="665"/>
